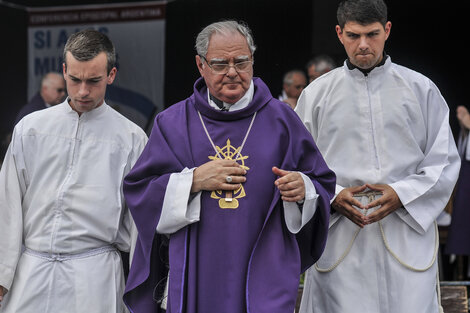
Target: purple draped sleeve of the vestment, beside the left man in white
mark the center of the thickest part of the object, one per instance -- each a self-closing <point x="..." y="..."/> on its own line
<point x="144" y="190"/>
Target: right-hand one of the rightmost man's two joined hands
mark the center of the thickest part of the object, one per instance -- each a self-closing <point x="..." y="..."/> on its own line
<point x="388" y="203"/>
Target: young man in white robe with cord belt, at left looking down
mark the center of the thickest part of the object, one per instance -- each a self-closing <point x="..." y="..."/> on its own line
<point x="62" y="211"/>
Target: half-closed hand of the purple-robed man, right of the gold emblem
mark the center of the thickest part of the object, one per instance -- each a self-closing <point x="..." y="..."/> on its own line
<point x="290" y="184"/>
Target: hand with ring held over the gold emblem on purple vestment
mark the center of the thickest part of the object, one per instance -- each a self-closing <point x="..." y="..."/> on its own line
<point x="213" y="176"/>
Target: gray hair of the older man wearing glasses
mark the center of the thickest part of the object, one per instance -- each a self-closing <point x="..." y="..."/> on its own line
<point x="224" y="28"/>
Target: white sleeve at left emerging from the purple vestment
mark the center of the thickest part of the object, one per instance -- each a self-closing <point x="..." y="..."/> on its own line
<point x="180" y="208"/>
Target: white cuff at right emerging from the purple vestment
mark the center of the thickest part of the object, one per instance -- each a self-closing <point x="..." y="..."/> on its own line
<point x="296" y="218"/>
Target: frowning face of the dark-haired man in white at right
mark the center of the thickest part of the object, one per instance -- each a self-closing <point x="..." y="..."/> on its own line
<point x="364" y="44"/>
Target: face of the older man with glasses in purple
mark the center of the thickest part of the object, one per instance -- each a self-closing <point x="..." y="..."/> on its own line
<point x="229" y="49"/>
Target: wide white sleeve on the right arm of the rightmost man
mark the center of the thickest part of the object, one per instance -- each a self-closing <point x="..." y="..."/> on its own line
<point x="425" y="193"/>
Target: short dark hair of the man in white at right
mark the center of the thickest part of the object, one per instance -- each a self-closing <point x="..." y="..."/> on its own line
<point x="363" y="12"/>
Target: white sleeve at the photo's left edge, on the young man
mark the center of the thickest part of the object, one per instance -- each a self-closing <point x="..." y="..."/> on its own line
<point x="12" y="189"/>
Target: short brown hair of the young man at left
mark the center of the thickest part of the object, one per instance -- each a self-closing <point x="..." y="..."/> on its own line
<point x="87" y="44"/>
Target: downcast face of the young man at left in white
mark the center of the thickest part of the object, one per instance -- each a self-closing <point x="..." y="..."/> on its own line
<point x="87" y="81"/>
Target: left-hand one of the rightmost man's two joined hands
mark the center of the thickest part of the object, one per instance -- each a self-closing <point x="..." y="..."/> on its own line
<point x="343" y="204"/>
